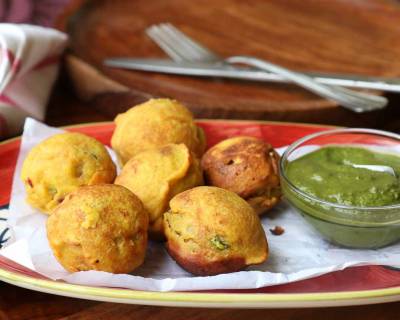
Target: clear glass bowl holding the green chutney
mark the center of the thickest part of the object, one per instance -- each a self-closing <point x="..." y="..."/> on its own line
<point x="350" y="226"/>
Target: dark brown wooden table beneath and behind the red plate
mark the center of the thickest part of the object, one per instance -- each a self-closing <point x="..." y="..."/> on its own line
<point x="18" y="303"/>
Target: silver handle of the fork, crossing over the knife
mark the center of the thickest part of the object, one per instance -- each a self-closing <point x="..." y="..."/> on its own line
<point x="357" y="102"/>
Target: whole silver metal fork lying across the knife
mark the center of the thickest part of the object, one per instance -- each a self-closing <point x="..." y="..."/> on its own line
<point x="181" y="47"/>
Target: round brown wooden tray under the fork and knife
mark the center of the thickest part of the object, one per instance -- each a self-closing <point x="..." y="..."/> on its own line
<point x="358" y="37"/>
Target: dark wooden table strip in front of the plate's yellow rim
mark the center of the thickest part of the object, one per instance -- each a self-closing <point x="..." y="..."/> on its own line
<point x="17" y="303"/>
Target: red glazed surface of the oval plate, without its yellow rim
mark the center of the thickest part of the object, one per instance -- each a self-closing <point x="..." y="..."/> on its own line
<point x="278" y="134"/>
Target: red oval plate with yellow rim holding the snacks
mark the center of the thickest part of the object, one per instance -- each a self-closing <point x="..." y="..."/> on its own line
<point x="352" y="286"/>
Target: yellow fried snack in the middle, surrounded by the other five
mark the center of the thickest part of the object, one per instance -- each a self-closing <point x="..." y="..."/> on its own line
<point x="156" y="175"/>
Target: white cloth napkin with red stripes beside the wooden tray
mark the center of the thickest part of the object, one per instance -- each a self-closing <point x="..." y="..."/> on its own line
<point x="29" y="58"/>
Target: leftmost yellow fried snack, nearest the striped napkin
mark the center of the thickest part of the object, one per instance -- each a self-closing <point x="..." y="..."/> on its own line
<point x="62" y="163"/>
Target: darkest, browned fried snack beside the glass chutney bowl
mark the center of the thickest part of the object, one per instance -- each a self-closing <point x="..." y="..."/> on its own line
<point x="247" y="166"/>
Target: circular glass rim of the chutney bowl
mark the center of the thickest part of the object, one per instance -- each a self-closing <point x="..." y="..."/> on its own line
<point x="309" y="137"/>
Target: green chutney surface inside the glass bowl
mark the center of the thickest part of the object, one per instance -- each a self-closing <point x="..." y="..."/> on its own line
<point x="328" y="174"/>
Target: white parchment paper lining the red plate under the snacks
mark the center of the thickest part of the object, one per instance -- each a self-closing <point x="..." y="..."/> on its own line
<point x="299" y="253"/>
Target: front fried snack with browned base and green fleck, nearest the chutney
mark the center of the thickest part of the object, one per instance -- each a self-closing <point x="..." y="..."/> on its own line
<point x="211" y="230"/>
